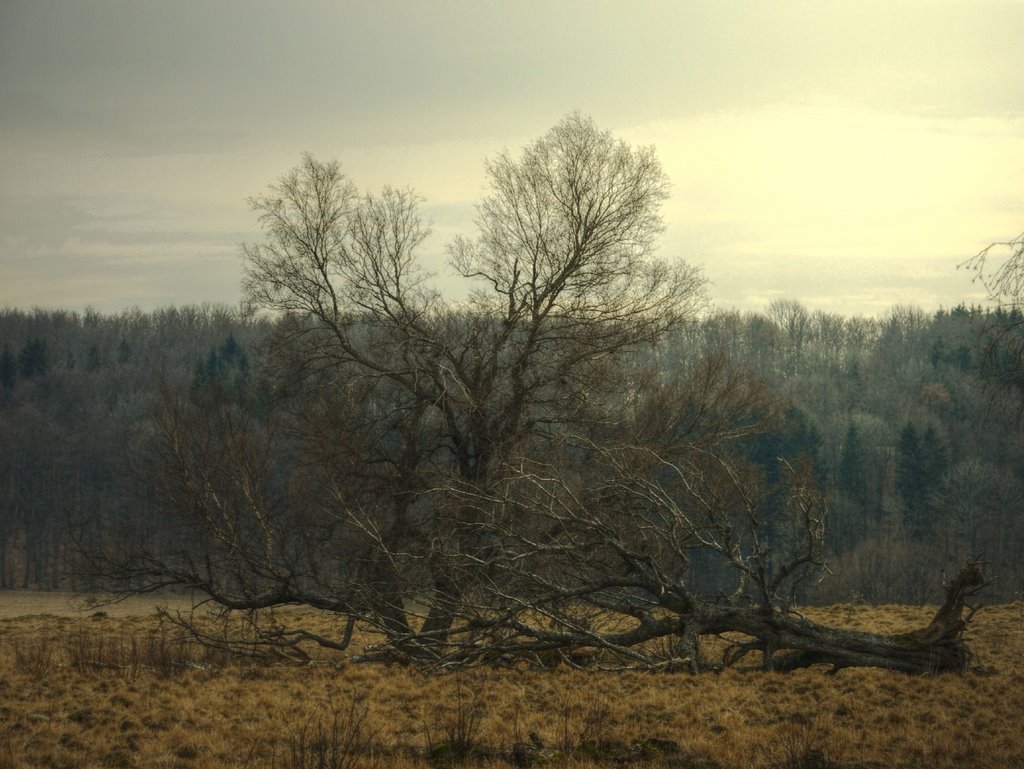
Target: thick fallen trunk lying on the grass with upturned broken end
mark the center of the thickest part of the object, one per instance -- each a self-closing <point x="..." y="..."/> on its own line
<point x="785" y="642"/>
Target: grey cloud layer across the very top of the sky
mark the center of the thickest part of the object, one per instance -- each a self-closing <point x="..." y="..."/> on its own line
<point x="199" y="77"/>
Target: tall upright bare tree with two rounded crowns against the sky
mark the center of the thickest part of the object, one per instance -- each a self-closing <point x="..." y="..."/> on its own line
<point x="436" y="395"/>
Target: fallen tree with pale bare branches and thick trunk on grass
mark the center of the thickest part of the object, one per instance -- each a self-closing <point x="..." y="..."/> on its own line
<point x="601" y="571"/>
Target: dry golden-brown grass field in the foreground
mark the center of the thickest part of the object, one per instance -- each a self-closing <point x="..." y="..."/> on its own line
<point x="114" y="690"/>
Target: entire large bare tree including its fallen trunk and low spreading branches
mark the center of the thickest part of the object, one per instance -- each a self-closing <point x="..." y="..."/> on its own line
<point x="519" y="469"/>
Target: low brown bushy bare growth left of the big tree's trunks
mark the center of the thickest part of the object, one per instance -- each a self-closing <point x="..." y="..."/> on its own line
<point x="243" y="523"/>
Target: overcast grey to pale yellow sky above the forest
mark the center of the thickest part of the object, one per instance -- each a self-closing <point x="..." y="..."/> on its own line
<point x="847" y="155"/>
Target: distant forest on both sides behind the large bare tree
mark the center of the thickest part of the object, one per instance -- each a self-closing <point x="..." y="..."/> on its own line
<point x="925" y="466"/>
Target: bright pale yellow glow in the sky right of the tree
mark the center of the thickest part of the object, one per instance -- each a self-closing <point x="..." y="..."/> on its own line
<point x="847" y="210"/>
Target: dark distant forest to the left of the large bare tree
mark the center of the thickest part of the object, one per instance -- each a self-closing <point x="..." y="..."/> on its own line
<point x="76" y="391"/>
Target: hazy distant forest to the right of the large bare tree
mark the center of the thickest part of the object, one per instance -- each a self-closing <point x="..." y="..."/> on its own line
<point x="912" y="433"/>
